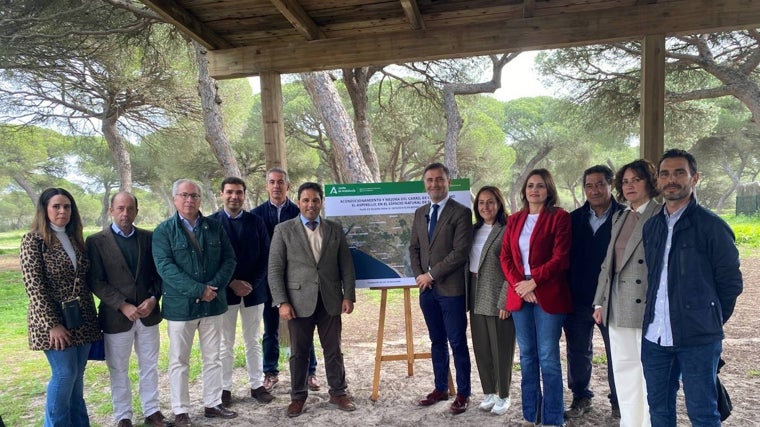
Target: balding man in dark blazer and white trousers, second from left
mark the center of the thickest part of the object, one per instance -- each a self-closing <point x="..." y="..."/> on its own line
<point x="123" y="276"/>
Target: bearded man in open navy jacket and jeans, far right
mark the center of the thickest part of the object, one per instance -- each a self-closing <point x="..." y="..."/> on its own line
<point x="694" y="280"/>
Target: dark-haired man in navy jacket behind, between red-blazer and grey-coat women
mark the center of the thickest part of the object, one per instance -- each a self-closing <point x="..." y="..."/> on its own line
<point x="591" y="229"/>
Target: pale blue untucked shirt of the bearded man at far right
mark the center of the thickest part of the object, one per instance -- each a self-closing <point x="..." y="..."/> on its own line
<point x="660" y="328"/>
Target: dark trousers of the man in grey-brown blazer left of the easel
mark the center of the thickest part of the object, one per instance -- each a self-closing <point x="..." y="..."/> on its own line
<point x="302" y="339"/>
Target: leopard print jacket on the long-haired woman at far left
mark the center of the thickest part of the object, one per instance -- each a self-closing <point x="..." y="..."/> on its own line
<point x="50" y="279"/>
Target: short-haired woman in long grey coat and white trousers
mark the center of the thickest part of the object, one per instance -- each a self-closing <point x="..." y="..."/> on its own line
<point x="621" y="291"/>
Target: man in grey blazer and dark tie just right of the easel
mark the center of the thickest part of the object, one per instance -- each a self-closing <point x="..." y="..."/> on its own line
<point x="439" y="247"/>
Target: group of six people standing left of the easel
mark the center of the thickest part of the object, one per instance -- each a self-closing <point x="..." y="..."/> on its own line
<point x="205" y="271"/>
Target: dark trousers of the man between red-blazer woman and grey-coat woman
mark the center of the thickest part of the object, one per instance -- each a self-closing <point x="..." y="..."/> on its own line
<point x="579" y="334"/>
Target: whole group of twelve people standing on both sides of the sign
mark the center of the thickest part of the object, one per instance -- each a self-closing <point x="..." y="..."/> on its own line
<point x="659" y="281"/>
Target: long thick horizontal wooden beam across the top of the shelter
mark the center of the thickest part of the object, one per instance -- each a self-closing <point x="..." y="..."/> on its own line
<point x="600" y="26"/>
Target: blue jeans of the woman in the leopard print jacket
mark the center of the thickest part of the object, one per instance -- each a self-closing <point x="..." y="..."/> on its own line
<point x="64" y="404"/>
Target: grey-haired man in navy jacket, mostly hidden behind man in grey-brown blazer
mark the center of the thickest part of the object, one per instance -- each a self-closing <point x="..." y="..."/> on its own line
<point x="274" y="211"/>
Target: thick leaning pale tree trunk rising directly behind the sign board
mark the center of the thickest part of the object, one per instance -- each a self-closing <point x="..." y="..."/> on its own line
<point x="338" y="126"/>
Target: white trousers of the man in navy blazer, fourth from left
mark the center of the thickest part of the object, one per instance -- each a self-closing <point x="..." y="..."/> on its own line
<point x="250" y="318"/>
